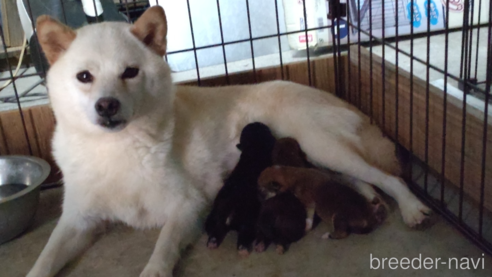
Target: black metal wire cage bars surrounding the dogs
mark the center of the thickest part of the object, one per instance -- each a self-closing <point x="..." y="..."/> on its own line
<point x="467" y="79"/>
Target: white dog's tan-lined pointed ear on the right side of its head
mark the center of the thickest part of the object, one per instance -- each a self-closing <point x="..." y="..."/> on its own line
<point x="151" y="29"/>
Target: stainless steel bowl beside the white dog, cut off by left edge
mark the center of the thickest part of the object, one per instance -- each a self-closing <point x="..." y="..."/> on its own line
<point x="20" y="180"/>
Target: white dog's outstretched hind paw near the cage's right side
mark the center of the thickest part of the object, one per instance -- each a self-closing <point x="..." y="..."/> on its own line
<point x="416" y="214"/>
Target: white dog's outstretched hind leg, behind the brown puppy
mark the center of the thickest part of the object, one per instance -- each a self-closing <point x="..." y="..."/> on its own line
<point x="342" y="158"/>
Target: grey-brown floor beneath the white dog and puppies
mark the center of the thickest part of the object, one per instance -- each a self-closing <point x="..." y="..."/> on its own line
<point x="122" y="251"/>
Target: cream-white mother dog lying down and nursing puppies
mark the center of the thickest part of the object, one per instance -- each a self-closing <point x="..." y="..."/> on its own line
<point x="134" y="147"/>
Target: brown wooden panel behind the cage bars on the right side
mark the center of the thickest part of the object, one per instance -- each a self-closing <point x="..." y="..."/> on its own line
<point x="416" y="140"/>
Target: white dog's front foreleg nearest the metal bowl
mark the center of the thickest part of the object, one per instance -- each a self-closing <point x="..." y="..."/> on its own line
<point x="71" y="236"/>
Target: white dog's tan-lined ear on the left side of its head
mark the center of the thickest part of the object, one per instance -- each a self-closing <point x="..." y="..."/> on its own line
<point x="54" y="37"/>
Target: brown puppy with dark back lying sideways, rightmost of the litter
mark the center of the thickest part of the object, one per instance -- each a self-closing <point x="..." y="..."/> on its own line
<point x="334" y="202"/>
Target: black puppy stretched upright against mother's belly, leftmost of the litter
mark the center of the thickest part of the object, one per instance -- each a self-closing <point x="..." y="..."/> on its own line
<point x="237" y="204"/>
